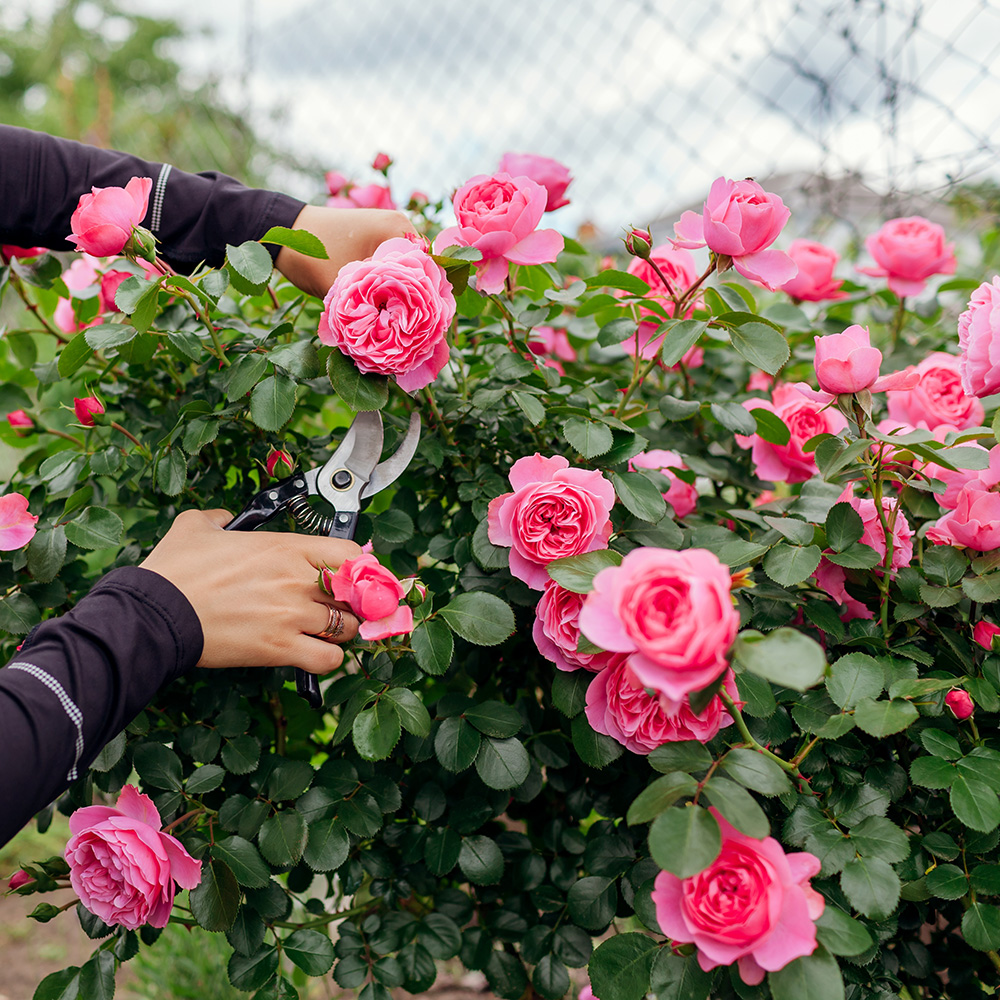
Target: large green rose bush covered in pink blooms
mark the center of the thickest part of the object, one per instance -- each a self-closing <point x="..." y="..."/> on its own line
<point x="697" y="651"/>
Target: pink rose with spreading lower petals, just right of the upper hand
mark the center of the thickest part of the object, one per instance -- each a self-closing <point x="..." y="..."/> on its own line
<point x="499" y="216"/>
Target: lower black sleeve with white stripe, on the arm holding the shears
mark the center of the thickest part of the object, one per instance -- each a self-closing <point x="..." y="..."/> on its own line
<point x="78" y="680"/>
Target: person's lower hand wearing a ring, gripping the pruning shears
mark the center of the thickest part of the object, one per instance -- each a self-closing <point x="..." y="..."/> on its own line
<point x="256" y="594"/>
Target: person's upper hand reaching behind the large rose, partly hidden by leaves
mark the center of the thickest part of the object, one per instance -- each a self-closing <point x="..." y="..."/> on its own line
<point x="347" y="233"/>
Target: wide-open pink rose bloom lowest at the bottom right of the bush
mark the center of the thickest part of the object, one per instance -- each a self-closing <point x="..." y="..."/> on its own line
<point x="753" y="904"/>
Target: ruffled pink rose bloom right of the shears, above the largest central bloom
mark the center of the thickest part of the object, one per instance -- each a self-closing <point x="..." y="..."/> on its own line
<point x="554" y="511"/>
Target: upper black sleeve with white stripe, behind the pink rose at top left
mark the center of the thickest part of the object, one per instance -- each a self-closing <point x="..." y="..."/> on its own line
<point x="193" y="216"/>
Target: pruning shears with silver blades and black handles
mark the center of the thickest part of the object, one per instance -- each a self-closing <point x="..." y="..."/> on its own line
<point x="352" y="473"/>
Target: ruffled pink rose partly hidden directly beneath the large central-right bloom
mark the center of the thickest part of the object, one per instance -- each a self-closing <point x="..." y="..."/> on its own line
<point x="618" y="706"/>
